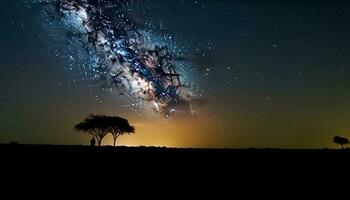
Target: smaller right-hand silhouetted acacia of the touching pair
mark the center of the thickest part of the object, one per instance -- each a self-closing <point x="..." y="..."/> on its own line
<point x="119" y="126"/>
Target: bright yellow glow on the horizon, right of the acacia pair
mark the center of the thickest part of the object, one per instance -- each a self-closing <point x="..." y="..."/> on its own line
<point x="189" y="132"/>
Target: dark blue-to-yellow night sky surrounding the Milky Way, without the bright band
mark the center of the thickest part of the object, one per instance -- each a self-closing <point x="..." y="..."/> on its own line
<point x="271" y="74"/>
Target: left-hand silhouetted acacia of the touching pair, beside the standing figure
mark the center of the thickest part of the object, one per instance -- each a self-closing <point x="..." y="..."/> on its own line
<point x="96" y="125"/>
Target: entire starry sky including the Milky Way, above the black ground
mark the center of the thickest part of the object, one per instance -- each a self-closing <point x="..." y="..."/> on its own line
<point x="253" y="73"/>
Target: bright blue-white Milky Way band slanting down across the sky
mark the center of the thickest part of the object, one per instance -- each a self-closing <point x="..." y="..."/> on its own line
<point x="146" y="73"/>
